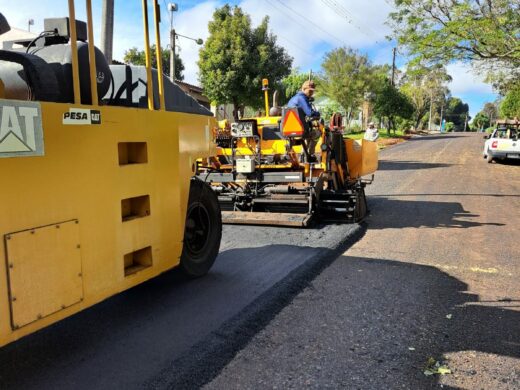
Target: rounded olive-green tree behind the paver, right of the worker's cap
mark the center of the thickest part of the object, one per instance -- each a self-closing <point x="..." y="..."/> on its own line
<point x="347" y="76"/>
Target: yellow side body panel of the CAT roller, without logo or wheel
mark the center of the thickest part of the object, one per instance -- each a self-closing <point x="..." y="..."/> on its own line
<point x="102" y="210"/>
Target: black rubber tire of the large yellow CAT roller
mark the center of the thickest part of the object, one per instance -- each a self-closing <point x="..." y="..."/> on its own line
<point x="202" y="232"/>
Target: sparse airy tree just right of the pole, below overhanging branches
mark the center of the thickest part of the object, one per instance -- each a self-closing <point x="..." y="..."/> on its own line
<point x="426" y="87"/>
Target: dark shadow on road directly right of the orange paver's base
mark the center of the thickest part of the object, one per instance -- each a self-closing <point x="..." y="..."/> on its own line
<point x="397" y="213"/>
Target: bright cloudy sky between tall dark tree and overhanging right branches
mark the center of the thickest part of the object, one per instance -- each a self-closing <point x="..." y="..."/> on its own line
<point x="307" y="29"/>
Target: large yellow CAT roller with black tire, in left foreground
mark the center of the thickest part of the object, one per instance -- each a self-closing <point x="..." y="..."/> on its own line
<point x="97" y="162"/>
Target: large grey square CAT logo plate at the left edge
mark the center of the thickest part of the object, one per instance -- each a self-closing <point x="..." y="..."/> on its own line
<point x="21" y="132"/>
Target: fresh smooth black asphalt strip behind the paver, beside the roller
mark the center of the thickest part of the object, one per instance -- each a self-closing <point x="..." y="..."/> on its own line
<point x="160" y="333"/>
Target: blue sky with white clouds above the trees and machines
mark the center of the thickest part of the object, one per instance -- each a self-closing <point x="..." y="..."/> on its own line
<point x="307" y="29"/>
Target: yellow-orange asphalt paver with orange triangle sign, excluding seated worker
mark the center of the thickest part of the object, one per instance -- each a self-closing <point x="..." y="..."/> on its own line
<point x="289" y="169"/>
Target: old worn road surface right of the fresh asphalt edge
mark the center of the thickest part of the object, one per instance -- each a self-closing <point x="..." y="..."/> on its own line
<point x="436" y="275"/>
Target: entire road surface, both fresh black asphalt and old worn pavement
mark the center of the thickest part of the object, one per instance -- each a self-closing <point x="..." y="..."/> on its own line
<point x="436" y="275"/>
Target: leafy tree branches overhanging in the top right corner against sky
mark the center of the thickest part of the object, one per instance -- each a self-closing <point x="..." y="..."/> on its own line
<point x="464" y="30"/>
